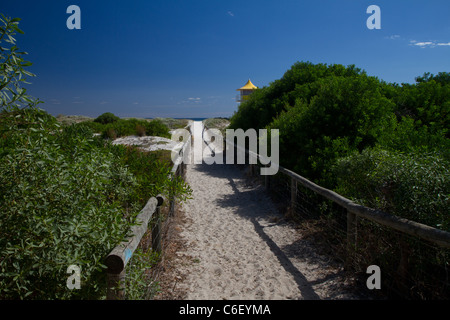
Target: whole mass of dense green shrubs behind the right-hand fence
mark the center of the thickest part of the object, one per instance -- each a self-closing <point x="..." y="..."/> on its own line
<point x="381" y="144"/>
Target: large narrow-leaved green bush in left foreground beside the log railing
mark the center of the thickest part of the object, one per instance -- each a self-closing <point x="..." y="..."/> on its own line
<point x="62" y="197"/>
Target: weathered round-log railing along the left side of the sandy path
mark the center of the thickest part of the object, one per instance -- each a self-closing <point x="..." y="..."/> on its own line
<point x="119" y="257"/>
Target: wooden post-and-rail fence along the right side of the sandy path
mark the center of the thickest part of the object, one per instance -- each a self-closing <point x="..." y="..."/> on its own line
<point x="438" y="238"/>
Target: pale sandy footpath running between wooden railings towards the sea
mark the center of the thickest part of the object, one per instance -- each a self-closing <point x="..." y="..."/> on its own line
<point x="241" y="247"/>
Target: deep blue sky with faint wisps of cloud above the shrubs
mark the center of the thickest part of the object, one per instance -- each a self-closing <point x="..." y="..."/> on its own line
<point x="144" y="58"/>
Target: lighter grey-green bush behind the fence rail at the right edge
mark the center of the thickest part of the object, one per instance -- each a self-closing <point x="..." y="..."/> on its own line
<point x="414" y="186"/>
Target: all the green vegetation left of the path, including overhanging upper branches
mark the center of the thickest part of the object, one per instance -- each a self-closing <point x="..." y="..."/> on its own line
<point x="67" y="196"/>
